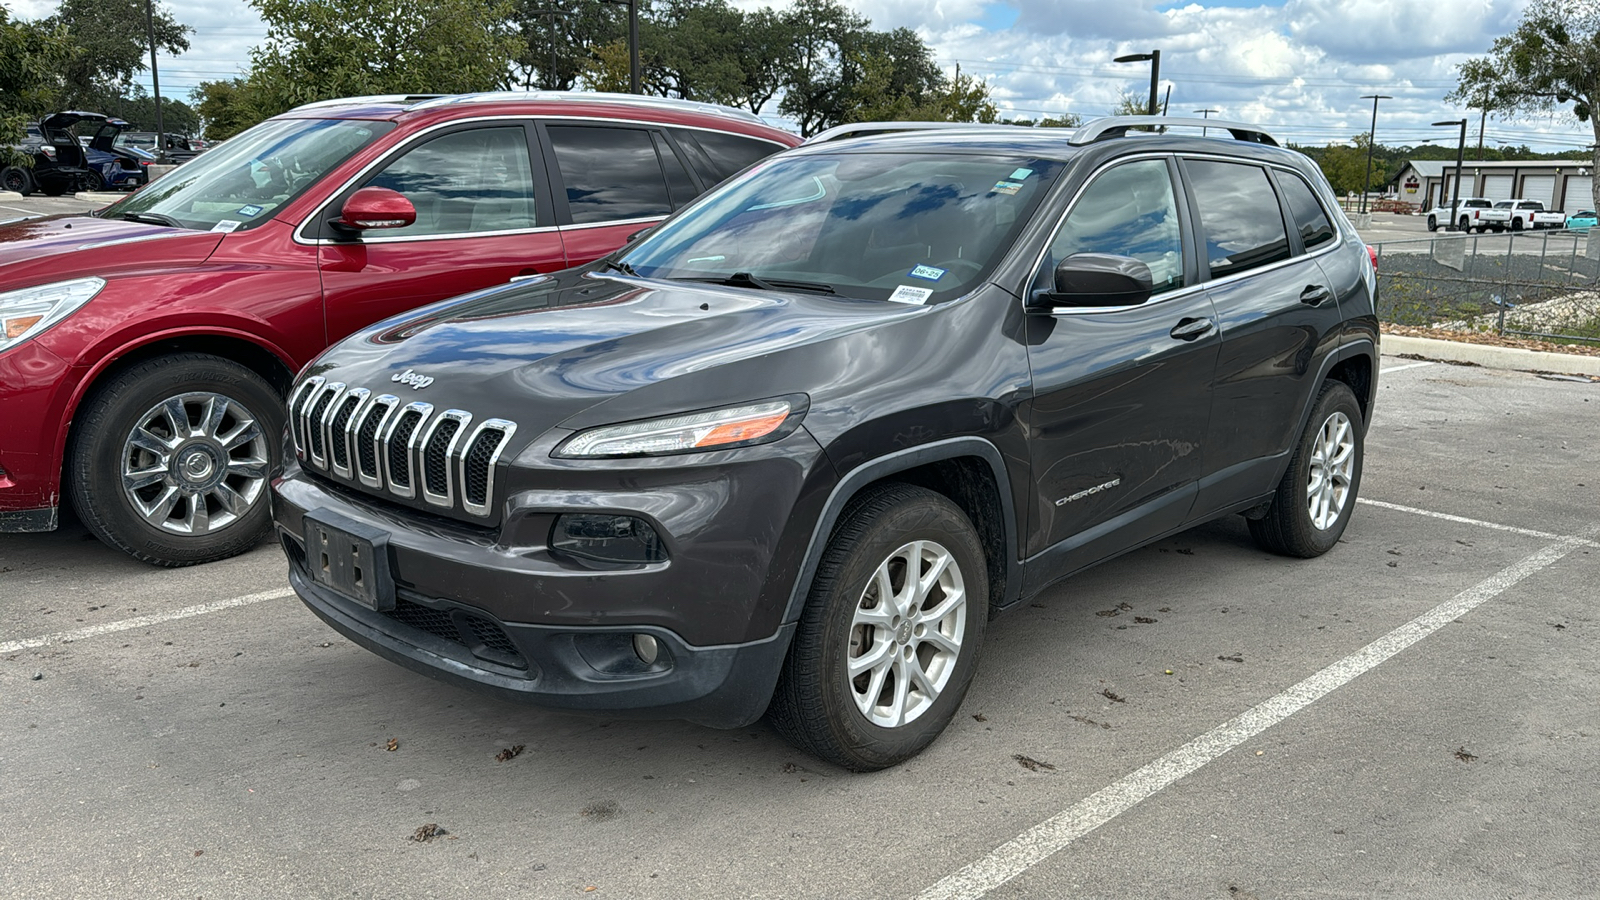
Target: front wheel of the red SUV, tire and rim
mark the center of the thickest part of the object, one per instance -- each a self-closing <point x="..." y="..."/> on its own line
<point x="170" y="460"/>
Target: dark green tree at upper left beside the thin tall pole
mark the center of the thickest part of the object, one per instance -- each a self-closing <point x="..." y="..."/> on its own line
<point x="111" y="47"/>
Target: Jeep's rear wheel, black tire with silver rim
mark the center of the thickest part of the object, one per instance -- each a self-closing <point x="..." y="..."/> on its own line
<point x="1318" y="494"/>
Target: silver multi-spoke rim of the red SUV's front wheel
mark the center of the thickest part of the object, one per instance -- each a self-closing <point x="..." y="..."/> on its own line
<point x="194" y="464"/>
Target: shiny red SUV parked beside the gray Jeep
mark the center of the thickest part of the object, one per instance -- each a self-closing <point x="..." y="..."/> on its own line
<point x="145" y="352"/>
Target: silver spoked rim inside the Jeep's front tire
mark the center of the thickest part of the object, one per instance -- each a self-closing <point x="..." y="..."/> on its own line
<point x="906" y="633"/>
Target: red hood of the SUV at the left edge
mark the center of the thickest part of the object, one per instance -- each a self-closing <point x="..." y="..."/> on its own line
<point x="66" y="247"/>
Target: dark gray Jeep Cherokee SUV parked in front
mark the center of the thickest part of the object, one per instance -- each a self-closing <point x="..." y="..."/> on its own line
<point x="791" y="451"/>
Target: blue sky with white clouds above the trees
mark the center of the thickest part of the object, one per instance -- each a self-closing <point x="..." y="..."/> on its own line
<point x="1295" y="66"/>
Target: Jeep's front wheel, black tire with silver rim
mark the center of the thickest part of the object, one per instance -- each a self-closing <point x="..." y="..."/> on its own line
<point x="890" y="635"/>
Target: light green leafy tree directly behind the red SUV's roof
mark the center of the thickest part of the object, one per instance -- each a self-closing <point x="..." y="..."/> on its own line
<point x="330" y="49"/>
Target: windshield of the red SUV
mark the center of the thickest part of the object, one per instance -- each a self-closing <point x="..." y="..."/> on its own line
<point x="241" y="183"/>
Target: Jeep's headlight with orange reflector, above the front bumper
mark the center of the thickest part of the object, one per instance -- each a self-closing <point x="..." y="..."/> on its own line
<point x="716" y="430"/>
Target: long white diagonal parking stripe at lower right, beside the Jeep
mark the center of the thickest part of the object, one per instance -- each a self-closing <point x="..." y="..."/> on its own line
<point x="1054" y="835"/>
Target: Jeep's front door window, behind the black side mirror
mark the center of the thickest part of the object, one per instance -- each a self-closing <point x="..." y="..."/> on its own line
<point x="1129" y="211"/>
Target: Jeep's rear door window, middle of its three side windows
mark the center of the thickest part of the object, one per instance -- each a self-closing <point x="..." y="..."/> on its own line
<point x="1239" y="217"/>
